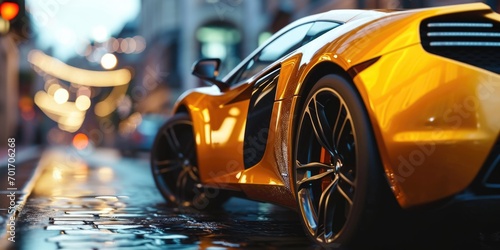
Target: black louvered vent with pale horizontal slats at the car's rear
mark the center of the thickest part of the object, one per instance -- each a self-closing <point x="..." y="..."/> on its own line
<point x="468" y="37"/>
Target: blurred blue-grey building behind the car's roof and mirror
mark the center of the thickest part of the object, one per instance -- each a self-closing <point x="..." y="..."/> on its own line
<point x="180" y="32"/>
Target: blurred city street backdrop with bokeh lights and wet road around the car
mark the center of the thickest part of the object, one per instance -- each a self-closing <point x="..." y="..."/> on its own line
<point x="85" y="85"/>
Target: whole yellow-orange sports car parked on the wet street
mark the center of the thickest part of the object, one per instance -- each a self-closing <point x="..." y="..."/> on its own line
<point x="341" y="111"/>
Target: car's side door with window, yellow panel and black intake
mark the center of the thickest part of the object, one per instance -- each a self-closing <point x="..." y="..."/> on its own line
<point x="244" y="112"/>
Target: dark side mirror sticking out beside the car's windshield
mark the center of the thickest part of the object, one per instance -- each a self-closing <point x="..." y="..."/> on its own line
<point x="208" y="70"/>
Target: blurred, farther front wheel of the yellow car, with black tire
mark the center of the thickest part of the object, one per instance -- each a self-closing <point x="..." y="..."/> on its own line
<point x="175" y="169"/>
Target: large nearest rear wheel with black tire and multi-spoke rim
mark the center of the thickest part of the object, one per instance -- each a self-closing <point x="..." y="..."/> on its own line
<point x="338" y="192"/>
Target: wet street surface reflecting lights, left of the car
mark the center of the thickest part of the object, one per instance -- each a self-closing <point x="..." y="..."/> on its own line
<point x="103" y="201"/>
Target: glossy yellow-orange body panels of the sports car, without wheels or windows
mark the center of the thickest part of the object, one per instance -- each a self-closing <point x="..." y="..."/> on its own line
<point x="425" y="110"/>
